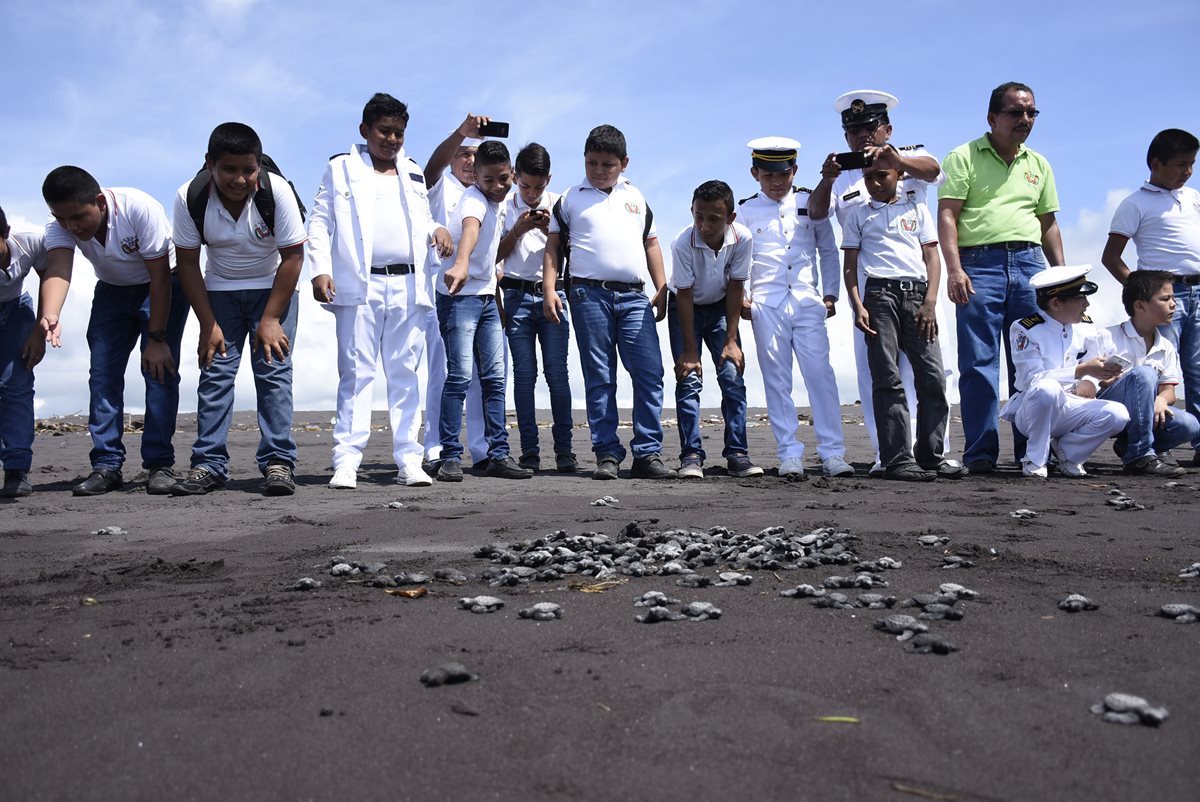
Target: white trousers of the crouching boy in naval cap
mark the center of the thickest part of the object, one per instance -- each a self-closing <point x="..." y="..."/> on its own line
<point x="1081" y="426"/>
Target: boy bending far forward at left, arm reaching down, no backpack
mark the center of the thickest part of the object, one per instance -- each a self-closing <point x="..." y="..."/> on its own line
<point x="125" y="235"/>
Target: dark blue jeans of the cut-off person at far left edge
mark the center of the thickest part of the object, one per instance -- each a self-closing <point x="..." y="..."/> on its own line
<point x="17" y="321"/>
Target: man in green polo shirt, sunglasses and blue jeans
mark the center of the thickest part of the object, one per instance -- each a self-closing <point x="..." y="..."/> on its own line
<point x="997" y="224"/>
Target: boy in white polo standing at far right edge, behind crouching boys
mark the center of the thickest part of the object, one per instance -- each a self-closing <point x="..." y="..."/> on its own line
<point x="1163" y="220"/>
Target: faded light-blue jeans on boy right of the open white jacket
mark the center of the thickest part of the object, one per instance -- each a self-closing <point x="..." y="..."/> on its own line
<point x="471" y="330"/>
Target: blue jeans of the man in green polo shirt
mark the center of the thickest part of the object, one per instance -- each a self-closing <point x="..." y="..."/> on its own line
<point x="1003" y="296"/>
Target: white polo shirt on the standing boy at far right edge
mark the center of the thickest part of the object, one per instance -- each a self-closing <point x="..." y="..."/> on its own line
<point x="1166" y="228"/>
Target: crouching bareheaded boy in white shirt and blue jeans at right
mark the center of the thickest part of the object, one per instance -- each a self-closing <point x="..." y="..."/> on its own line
<point x="1148" y="387"/>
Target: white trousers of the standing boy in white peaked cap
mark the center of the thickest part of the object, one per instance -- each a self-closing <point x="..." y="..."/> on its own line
<point x="799" y="327"/>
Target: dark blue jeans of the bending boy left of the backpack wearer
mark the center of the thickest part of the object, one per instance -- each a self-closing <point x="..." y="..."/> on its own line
<point x="121" y="319"/>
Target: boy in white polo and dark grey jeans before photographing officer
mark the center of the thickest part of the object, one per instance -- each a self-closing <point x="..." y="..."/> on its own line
<point x="895" y="243"/>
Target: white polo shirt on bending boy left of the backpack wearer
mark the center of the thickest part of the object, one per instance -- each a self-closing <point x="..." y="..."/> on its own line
<point x="139" y="230"/>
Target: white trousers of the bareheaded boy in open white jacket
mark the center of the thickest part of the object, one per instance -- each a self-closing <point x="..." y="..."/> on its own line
<point x="388" y="326"/>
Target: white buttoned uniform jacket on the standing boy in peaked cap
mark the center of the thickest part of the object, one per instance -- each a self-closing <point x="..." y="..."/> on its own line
<point x="787" y="248"/>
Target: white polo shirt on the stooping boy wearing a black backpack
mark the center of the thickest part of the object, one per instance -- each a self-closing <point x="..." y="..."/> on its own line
<point x="241" y="254"/>
